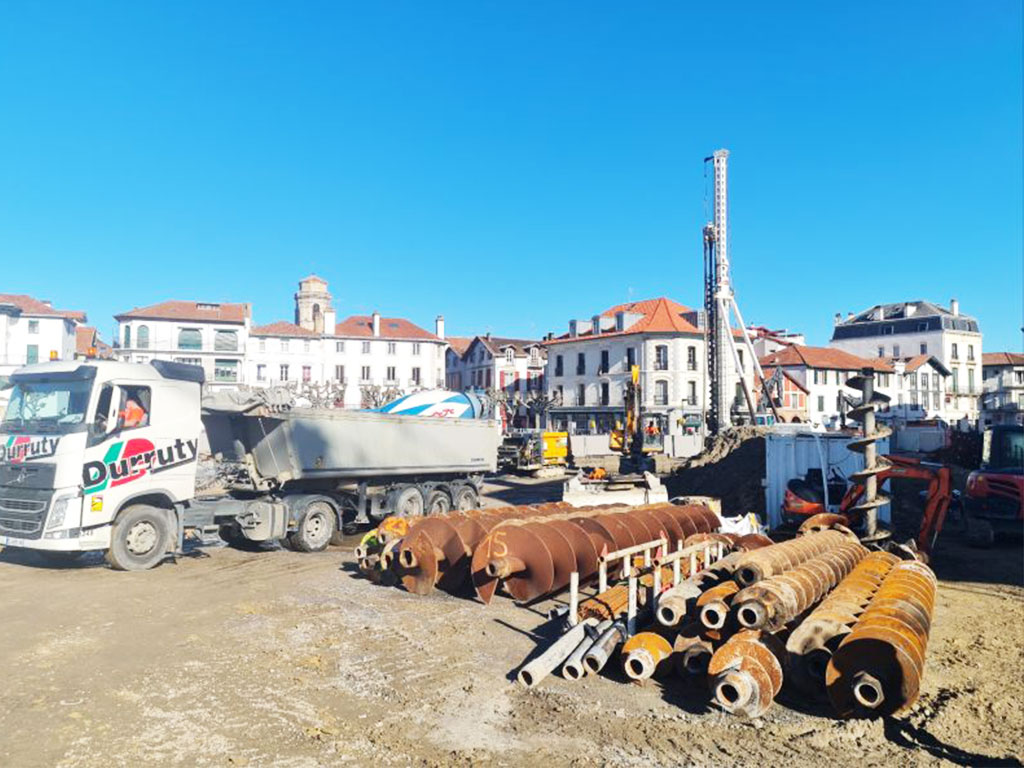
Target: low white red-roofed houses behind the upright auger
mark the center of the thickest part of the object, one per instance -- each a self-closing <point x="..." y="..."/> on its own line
<point x="823" y="373"/>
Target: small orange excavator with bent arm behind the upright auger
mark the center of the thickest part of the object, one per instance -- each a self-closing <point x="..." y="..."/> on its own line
<point x="802" y="502"/>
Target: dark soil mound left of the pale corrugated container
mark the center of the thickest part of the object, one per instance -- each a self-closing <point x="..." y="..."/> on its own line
<point x="731" y="468"/>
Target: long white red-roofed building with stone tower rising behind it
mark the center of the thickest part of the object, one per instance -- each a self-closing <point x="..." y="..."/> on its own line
<point x="363" y="360"/>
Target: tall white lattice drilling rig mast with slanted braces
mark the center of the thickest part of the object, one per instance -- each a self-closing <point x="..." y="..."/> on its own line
<point x="724" y="364"/>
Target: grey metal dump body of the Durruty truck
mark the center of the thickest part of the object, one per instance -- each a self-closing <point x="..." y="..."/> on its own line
<point x="333" y="444"/>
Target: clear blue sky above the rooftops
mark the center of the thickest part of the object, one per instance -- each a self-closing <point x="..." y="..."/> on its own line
<point x="513" y="165"/>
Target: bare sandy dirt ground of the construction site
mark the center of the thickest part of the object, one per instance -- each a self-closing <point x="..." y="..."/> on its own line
<point x="259" y="659"/>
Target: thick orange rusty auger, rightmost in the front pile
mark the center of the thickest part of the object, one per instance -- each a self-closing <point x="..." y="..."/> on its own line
<point x="877" y="669"/>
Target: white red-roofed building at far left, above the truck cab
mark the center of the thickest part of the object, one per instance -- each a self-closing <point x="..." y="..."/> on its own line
<point x="32" y="331"/>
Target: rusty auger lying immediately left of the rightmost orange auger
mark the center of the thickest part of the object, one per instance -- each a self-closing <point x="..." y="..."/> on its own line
<point x="810" y="646"/>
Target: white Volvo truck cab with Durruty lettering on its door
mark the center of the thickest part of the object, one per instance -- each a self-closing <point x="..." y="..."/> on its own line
<point x="97" y="455"/>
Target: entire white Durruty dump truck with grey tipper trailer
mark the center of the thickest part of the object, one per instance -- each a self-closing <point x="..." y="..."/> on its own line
<point x="100" y="455"/>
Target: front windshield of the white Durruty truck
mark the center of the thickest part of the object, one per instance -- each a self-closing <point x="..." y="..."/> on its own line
<point x="48" y="406"/>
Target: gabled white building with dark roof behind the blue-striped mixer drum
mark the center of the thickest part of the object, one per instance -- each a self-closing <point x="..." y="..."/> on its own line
<point x="507" y="368"/>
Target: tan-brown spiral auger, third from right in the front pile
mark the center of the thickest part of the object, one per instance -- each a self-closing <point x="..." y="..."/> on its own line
<point x="775" y="603"/>
